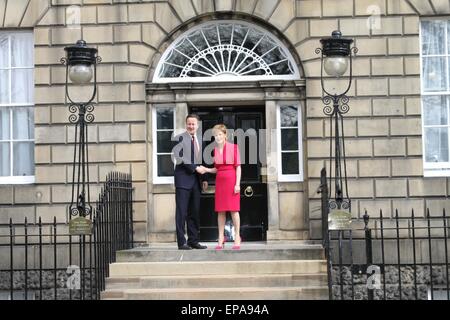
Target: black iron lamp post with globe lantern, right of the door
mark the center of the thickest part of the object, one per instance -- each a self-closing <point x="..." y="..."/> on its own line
<point x="336" y="58"/>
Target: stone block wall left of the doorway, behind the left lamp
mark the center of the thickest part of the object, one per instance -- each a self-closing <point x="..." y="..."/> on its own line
<point x="117" y="136"/>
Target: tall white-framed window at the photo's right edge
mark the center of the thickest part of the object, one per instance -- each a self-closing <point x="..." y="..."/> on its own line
<point x="435" y="54"/>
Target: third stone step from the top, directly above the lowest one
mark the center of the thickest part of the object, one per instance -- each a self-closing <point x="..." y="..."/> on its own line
<point x="220" y="281"/>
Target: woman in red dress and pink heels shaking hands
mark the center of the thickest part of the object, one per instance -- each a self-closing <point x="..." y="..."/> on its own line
<point x="227" y="167"/>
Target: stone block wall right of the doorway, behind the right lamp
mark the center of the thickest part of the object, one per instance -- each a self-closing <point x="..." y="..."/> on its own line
<point x="383" y="132"/>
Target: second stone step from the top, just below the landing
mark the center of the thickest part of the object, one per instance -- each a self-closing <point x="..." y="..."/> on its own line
<point x="133" y="269"/>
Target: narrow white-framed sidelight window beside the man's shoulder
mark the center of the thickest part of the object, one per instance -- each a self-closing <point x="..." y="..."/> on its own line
<point x="163" y="129"/>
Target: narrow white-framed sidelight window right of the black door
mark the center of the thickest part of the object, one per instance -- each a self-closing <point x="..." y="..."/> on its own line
<point x="290" y="161"/>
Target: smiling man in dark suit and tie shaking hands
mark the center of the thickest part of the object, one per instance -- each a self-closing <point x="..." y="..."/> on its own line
<point x="189" y="179"/>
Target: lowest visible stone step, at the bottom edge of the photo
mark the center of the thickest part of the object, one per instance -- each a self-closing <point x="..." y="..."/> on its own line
<point x="237" y="293"/>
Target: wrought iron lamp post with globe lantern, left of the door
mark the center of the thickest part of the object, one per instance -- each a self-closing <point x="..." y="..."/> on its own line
<point x="81" y="66"/>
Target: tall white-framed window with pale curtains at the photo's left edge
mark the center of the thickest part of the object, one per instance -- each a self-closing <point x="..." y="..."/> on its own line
<point x="16" y="107"/>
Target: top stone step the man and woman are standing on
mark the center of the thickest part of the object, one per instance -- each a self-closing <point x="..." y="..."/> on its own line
<point x="248" y="251"/>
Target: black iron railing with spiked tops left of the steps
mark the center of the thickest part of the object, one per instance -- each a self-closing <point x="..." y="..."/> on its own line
<point x="43" y="261"/>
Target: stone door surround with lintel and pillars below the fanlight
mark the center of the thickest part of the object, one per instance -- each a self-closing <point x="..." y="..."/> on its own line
<point x="267" y="93"/>
